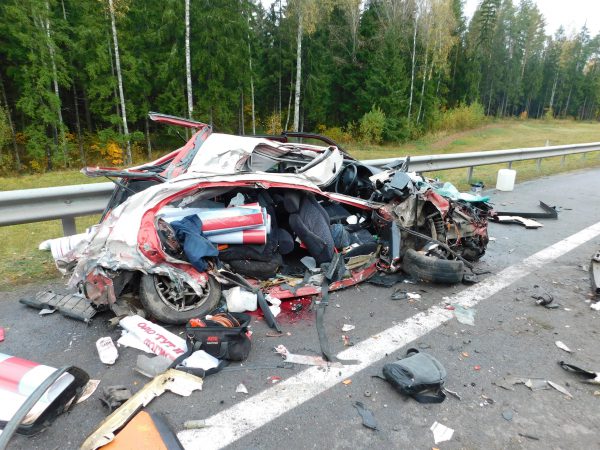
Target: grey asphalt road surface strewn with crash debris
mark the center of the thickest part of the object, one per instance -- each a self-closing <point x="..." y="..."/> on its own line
<point x="511" y="336"/>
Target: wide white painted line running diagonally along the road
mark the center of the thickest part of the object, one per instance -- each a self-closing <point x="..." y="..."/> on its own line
<point x="245" y="417"/>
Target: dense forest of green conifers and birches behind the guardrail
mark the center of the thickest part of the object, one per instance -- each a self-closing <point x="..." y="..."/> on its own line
<point x="78" y="77"/>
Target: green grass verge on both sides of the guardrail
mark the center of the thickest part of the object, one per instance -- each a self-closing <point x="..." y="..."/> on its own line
<point x="21" y="262"/>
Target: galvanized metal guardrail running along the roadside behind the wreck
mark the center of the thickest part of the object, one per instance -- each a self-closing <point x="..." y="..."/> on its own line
<point x="68" y="202"/>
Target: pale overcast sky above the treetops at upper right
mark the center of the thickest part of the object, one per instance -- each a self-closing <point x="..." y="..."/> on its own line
<point x="572" y="14"/>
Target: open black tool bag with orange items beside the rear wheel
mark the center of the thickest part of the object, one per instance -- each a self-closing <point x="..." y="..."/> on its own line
<point x="222" y="342"/>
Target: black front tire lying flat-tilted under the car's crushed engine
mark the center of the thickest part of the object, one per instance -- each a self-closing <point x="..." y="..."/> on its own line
<point x="432" y="269"/>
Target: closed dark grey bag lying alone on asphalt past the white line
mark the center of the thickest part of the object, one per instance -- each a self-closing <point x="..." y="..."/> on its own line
<point x="416" y="373"/>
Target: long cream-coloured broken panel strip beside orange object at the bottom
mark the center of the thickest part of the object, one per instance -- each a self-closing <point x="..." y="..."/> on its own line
<point x="178" y="382"/>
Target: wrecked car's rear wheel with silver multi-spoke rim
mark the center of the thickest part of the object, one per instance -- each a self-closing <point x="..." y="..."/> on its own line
<point x="160" y="299"/>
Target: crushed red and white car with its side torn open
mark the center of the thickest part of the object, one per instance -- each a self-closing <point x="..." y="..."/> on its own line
<point x="274" y="214"/>
